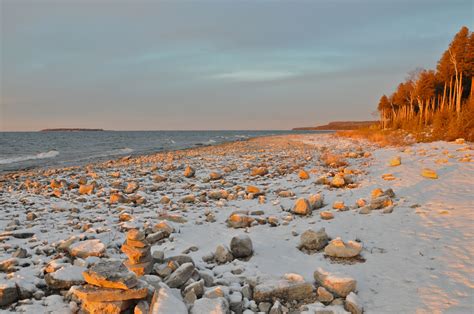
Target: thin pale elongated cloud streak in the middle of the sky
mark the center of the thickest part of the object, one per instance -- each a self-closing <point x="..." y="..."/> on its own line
<point x="254" y="76"/>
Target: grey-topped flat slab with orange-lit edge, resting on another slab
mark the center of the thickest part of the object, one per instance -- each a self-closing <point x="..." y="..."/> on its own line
<point x="110" y="274"/>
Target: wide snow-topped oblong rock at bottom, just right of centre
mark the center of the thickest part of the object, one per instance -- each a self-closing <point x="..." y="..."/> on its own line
<point x="282" y="289"/>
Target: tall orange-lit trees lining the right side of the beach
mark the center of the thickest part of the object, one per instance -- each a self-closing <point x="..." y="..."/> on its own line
<point x="440" y="100"/>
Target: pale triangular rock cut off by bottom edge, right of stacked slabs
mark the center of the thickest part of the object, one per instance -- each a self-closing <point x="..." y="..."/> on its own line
<point x="165" y="301"/>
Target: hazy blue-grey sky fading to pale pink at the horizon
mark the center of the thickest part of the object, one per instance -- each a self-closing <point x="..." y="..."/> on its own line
<point x="195" y="65"/>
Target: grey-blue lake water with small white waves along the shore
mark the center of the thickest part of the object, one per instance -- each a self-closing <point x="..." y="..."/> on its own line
<point x="25" y="150"/>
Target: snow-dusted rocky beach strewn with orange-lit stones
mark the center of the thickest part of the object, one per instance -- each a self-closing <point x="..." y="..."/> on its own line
<point x="311" y="223"/>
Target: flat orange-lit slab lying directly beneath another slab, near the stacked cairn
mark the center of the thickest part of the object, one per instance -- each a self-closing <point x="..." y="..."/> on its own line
<point x="90" y="293"/>
